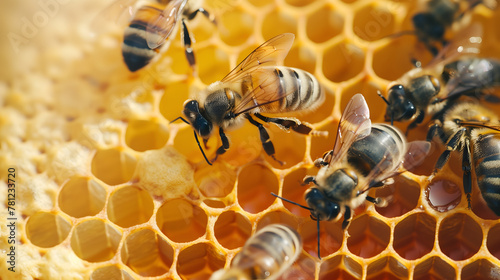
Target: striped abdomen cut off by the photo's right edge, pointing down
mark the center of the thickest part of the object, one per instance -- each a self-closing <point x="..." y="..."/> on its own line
<point x="486" y="156"/>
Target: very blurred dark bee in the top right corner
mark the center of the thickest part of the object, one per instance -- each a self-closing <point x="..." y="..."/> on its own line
<point x="438" y="16"/>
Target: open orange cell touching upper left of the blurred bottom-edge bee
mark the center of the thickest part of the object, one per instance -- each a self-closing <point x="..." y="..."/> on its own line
<point x="232" y="229"/>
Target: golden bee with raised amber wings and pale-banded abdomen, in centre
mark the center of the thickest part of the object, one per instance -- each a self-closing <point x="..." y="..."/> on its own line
<point x="253" y="87"/>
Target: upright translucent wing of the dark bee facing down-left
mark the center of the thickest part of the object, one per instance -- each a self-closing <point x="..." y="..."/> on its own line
<point x="354" y="124"/>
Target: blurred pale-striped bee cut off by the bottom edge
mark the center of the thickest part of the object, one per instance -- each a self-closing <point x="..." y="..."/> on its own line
<point x="266" y="255"/>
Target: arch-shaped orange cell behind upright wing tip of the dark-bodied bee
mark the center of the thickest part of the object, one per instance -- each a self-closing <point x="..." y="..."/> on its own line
<point x="369" y="90"/>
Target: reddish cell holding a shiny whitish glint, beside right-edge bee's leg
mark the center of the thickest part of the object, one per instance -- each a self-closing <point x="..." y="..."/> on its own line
<point x="443" y="195"/>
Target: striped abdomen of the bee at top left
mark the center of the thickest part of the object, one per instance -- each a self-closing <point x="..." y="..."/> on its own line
<point x="135" y="50"/>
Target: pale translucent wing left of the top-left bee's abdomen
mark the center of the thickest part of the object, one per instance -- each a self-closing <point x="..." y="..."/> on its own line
<point x="120" y="12"/>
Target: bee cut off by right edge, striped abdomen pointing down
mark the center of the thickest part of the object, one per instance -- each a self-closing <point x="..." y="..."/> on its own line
<point x="474" y="131"/>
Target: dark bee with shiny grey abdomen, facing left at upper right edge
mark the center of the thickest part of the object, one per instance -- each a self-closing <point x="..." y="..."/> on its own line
<point x="425" y="91"/>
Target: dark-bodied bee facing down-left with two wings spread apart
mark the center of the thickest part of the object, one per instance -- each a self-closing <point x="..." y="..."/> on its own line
<point x="364" y="156"/>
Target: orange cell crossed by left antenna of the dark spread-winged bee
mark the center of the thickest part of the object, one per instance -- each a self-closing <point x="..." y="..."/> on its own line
<point x="294" y="190"/>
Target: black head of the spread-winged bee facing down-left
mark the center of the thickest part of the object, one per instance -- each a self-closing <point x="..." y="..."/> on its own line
<point x="322" y="208"/>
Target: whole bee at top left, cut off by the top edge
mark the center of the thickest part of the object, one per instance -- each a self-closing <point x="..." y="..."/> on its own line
<point x="151" y="26"/>
